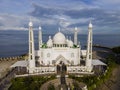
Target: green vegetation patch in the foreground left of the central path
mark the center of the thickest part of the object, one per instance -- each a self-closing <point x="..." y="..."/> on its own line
<point x="29" y="83"/>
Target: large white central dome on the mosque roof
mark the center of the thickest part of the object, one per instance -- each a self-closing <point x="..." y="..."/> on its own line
<point x="59" y="38"/>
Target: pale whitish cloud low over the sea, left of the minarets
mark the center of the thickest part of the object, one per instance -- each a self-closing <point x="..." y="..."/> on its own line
<point x="13" y="22"/>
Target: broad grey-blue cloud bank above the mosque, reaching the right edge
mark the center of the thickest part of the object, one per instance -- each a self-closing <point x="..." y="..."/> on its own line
<point x="74" y="17"/>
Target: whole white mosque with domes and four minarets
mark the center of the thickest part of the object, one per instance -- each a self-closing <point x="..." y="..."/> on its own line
<point x="58" y="51"/>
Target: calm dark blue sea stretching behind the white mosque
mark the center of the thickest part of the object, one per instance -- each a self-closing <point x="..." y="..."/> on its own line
<point x="15" y="42"/>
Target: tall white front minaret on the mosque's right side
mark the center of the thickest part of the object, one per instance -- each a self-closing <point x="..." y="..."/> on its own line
<point x="89" y="48"/>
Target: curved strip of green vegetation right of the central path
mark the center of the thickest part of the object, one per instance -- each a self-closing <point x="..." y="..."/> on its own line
<point x="95" y="81"/>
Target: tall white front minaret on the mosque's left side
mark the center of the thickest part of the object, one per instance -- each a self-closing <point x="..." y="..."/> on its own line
<point x="31" y="48"/>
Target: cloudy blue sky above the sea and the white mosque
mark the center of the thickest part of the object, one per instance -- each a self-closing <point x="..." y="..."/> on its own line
<point x="66" y="14"/>
